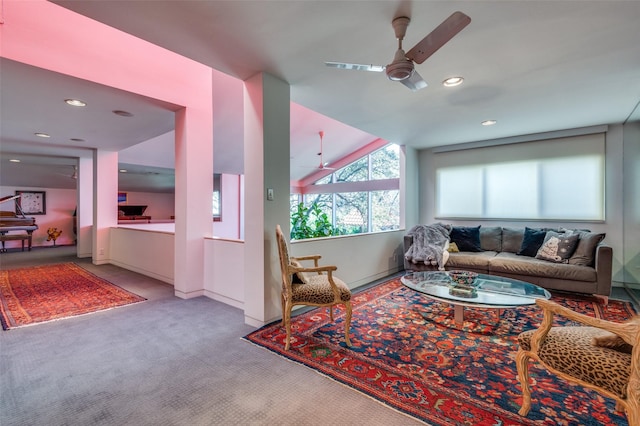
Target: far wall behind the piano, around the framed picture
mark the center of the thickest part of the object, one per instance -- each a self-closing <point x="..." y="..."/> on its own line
<point x="60" y="204"/>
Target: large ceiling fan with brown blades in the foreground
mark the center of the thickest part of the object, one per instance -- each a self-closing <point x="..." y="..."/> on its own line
<point x="402" y="68"/>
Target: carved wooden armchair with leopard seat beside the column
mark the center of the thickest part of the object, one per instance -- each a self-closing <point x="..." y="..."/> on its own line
<point x="315" y="286"/>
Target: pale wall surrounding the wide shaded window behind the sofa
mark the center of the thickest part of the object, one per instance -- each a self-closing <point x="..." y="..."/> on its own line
<point x="615" y="201"/>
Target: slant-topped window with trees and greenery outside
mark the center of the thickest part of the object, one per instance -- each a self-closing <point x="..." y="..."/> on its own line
<point x="360" y="197"/>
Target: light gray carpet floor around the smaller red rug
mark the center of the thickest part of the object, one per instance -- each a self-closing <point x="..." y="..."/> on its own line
<point x="166" y="361"/>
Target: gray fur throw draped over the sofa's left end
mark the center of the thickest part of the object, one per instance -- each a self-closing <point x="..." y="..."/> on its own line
<point x="430" y="244"/>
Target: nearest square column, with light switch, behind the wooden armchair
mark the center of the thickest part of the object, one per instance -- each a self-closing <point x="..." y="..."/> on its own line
<point x="266" y="165"/>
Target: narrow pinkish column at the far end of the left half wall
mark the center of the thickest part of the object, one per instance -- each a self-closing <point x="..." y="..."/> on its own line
<point x="105" y="207"/>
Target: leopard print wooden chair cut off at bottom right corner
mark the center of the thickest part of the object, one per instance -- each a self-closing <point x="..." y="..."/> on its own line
<point x="610" y="367"/>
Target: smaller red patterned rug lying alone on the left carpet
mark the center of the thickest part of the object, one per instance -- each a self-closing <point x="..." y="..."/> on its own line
<point x="46" y="293"/>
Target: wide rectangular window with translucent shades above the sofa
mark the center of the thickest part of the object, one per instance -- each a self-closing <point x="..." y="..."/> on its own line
<point x="559" y="179"/>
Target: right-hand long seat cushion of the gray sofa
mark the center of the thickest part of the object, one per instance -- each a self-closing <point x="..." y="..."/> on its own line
<point x="509" y="263"/>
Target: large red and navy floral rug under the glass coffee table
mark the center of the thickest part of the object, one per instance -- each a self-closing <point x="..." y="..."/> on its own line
<point x="409" y="354"/>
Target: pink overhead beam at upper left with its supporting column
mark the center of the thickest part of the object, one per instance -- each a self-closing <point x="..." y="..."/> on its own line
<point x="45" y="35"/>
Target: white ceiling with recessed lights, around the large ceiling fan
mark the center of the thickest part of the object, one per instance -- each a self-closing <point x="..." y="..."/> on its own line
<point x="534" y="66"/>
